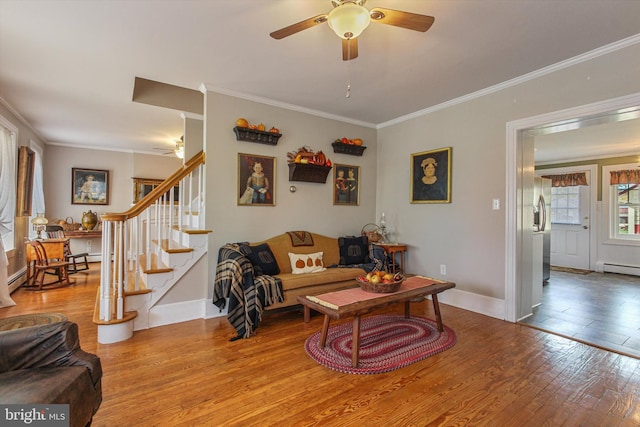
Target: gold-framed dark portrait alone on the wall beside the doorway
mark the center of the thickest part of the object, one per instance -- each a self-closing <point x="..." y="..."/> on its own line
<point x="431" y="176"/>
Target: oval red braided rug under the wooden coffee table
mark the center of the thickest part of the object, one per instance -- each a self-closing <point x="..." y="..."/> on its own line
<point x="387" y="342"/>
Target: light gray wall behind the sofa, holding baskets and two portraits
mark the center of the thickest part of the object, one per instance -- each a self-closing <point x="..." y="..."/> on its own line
<point x="311" y="206"/>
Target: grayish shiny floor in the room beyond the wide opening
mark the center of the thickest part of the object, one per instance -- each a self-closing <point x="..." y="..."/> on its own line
<point x="595" y="308"/>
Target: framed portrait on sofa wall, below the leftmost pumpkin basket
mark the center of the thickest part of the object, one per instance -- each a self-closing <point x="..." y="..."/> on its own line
<point x="256" y="180"/>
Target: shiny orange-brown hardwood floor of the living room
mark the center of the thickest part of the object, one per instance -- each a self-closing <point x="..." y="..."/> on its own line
<point x="497" y="374"/>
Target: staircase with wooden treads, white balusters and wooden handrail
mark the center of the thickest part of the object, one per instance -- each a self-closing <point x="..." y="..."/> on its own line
<point x="147" y="250"/>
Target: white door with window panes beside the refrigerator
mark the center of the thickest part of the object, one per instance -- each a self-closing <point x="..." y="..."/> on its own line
<point x="570" y="244"/>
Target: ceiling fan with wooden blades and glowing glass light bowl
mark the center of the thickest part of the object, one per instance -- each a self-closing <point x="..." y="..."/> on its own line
<point x="349" y="18"/>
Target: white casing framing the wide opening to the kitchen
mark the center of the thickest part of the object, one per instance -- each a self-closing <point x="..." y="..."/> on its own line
<point x="520" y="171"/>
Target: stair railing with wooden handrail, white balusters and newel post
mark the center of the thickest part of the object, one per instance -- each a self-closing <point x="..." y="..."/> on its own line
<point x="132" y="241"/>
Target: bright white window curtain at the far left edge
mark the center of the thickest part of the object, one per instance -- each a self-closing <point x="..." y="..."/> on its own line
<point x="8" y="152"/>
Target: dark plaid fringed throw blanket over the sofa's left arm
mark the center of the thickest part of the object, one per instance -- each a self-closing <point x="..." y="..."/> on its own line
<point x="248" y="295"/>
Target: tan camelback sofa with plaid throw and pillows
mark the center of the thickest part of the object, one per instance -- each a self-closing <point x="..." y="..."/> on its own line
<point x="251" y="277"/>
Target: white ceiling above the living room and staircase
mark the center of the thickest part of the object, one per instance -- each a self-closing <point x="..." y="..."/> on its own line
<point x="68" y="66"/>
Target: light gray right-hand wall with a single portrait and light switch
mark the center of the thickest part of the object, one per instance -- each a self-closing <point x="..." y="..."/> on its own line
<point x="467" y="235"/>
